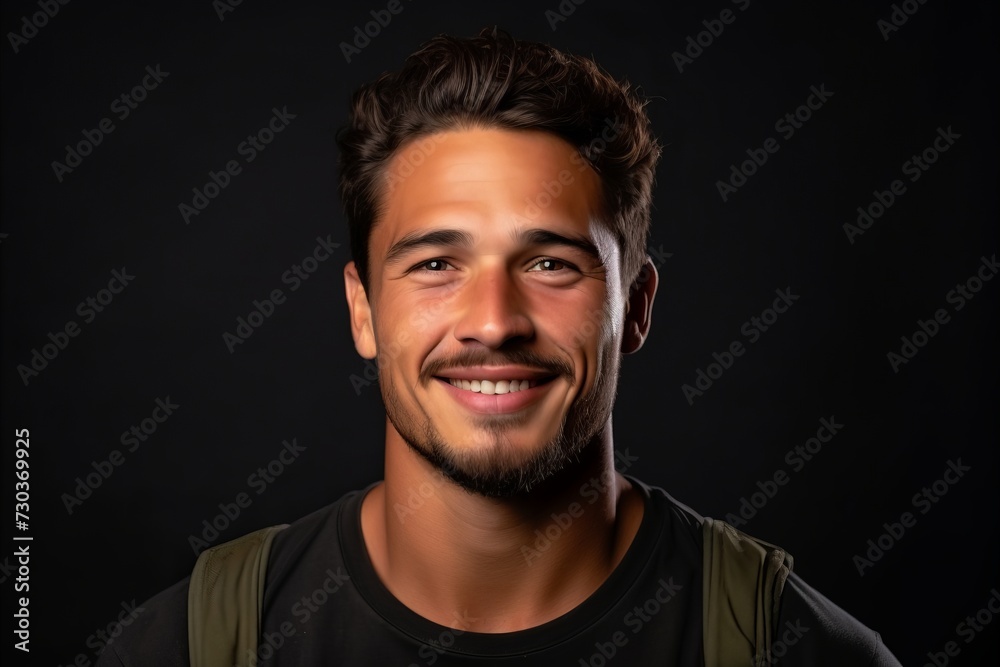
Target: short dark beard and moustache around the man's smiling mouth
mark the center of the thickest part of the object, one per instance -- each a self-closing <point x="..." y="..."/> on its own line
<point x="497" y="469"/>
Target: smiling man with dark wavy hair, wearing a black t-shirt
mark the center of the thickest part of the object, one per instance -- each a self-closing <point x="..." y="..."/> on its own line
<point x="498" y="196"/>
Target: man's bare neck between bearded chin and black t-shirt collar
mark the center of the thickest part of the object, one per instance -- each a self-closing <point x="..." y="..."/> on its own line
<point x="498" y="565"/>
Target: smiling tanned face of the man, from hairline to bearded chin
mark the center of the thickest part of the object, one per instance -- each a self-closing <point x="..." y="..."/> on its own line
<point x="494" y="306"/>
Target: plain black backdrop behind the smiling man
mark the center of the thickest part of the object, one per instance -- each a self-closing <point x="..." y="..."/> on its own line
<point x="162" y="336"/>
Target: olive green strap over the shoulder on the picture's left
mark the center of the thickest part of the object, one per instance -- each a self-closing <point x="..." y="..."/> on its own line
<point x="225" y="600"/>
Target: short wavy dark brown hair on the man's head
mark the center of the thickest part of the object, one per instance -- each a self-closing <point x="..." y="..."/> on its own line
<point x="495" y="81"/>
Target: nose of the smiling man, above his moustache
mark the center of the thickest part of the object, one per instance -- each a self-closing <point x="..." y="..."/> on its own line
<point x="493" y="309"/>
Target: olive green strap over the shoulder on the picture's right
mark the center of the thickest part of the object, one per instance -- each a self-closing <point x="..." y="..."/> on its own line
<point x="742" y="582"/>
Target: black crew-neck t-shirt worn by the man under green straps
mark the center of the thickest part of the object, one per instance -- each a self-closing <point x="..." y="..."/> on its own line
<point x="325" y="605"/>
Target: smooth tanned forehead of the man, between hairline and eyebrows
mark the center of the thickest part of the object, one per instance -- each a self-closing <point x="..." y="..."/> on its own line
<point x="486" y="180"/>
